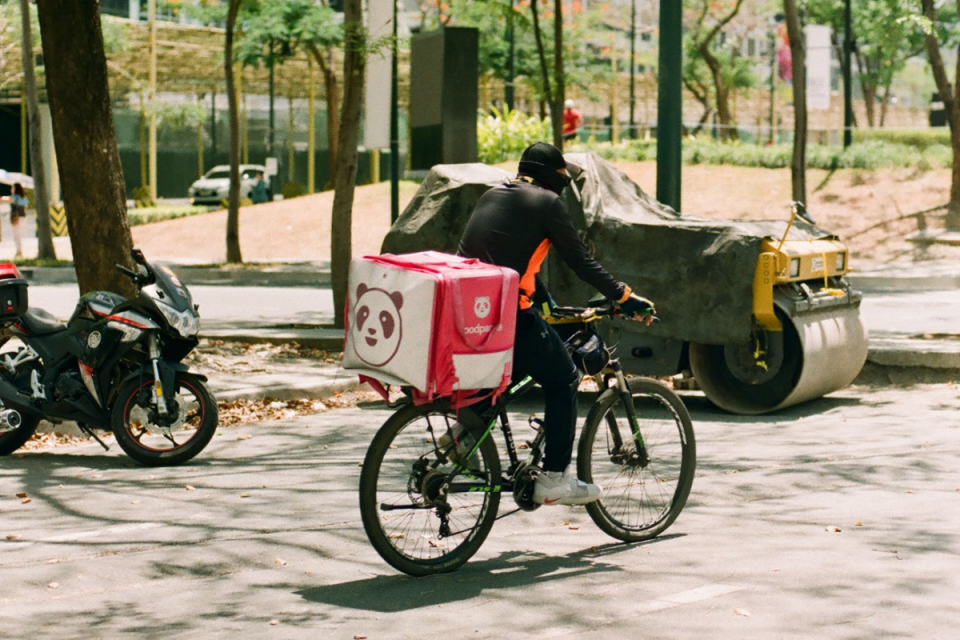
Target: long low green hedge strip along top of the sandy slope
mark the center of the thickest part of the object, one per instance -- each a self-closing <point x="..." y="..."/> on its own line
<point x="869" y="154"/>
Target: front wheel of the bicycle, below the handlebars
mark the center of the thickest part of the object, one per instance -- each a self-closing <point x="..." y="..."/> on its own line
<point x="646" y="477"/>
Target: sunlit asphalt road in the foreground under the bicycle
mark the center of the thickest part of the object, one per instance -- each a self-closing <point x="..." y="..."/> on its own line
<point x="836" y="519"/>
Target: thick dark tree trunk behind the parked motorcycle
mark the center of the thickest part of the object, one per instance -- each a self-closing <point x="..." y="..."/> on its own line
<point x="90" y="173"/>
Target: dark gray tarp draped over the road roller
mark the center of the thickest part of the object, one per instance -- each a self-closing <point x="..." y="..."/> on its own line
<point x="698" y="271"/>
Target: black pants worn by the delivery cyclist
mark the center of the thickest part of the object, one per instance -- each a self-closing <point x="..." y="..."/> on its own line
<point x="540" y="353"/>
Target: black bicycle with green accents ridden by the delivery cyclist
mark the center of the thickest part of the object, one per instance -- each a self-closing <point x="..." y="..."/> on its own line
<point x="431" y="481"/>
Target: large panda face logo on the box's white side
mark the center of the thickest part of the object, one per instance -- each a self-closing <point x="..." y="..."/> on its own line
<point x="377" y="327"/>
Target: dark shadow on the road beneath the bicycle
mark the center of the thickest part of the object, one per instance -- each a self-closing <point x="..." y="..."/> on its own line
<point x="510" y="570"/>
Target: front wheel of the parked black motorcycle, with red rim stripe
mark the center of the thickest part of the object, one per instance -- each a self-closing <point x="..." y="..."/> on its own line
<point x="143" y="435"/>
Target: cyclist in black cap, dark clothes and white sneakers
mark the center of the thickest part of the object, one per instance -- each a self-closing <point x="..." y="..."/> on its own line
<point x="514" y="225"/>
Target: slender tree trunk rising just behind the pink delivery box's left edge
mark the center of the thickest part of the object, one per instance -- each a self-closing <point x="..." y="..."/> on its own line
<point x="341" y="234"/>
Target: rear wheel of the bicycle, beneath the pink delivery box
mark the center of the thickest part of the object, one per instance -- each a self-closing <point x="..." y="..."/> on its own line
<point x="426" y="506"/>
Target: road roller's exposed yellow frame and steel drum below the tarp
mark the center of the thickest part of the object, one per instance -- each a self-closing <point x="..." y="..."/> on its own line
<point x="807" y="336"/>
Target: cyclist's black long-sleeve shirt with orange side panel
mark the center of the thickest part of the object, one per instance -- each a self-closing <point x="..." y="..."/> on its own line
<point x="515" y="224"/>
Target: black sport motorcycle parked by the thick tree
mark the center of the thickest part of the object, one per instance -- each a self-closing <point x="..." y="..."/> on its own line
<point x="115" y="365"/>
